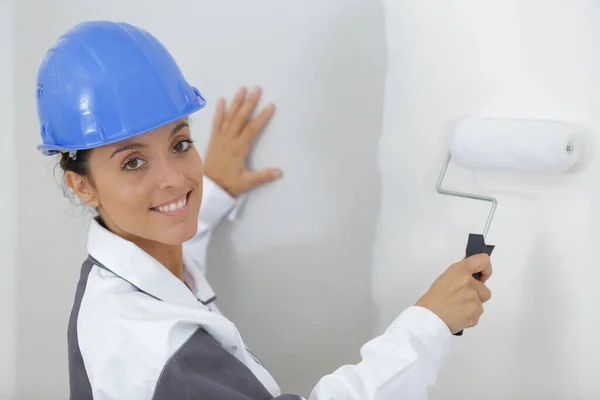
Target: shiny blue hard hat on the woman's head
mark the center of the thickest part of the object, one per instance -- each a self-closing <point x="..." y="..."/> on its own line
<point x="103" y="82"/>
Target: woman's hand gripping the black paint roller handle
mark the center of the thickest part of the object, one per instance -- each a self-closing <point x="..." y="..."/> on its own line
<point x="456" y="297"/>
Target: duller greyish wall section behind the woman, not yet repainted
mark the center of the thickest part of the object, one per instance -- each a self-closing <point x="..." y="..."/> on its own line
<point x="294" y="271"/>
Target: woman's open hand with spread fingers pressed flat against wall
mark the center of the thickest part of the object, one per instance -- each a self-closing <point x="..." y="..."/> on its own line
<point x="233" y="134"/>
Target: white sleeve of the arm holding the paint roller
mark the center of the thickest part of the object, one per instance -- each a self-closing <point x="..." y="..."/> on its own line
<point x="402" y="363"/>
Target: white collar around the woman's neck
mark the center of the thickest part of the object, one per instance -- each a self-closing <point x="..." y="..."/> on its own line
<point x="131" y="263"/>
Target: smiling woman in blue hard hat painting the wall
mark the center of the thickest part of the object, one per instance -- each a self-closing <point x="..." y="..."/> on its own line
<point x="113" y="104"/>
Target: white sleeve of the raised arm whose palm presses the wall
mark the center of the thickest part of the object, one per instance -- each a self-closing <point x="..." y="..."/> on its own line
<point x="216" y="205"/>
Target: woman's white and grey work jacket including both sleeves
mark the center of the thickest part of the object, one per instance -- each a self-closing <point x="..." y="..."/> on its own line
<point x="138" y="332"/>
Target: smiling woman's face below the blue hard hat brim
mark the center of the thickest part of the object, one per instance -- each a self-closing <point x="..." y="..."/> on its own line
<point x="149" y="187"/>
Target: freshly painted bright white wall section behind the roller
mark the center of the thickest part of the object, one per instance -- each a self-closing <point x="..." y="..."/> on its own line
<point x="510" y="58"/>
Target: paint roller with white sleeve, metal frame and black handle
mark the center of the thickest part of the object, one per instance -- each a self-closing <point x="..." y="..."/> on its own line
<point x="516" y="145"/>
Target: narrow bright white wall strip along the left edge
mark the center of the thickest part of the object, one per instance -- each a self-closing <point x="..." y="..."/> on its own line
<point x="8" y="204"/>
